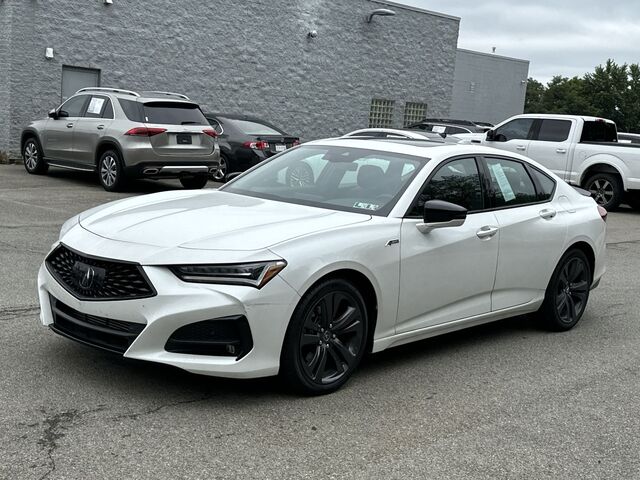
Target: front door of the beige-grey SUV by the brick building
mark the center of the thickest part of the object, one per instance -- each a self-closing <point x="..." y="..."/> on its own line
<point x="58" y="139"/>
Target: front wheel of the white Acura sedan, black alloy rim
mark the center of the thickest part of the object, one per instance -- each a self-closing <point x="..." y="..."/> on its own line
<point x="326" y="339"/>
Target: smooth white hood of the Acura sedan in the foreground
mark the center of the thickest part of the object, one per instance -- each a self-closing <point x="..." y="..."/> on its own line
<point x="210" y="220"/>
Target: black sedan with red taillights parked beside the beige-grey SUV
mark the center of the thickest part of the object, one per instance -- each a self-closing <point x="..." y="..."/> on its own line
<point x="246" y="141"/>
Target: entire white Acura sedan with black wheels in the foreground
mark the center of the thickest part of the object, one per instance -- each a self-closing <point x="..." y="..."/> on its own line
<point x="388" y="243"/>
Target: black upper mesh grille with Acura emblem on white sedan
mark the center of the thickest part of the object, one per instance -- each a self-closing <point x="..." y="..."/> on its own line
<point x="92" y="278"/>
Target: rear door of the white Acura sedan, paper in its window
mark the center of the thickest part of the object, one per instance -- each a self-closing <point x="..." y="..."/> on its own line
<point x="532" y="231"/>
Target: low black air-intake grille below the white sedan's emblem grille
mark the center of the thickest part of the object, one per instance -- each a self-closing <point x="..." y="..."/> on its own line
<point x="105" y="333"/>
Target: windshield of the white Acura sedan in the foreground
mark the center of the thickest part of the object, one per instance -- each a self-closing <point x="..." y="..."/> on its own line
<point x="339" y="178"/>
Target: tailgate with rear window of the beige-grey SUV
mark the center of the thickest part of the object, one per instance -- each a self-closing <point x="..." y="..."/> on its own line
<point x="181" y="126"/>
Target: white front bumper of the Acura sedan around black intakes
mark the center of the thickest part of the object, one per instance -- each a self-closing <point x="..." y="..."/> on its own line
<point x="178" y="304"/>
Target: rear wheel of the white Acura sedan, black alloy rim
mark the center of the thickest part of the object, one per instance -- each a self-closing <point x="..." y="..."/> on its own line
<point x="567" y="293"/>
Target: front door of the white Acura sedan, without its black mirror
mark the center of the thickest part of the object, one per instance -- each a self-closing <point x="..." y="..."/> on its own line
<point x="448" y="273"/>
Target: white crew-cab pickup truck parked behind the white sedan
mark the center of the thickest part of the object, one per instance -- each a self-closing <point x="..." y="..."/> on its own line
<point x="584" y="151"/>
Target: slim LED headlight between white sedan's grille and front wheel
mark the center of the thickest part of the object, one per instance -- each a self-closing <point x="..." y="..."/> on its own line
<point x="255" y="275"/>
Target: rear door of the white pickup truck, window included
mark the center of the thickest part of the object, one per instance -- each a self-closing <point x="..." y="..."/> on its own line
<point x="551" y="145"/>
